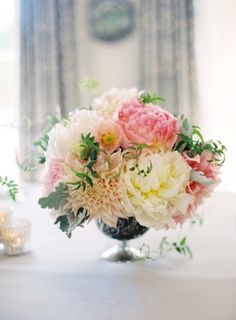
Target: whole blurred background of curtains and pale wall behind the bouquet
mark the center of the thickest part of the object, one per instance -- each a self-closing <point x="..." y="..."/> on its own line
<point x="182" y="49"/>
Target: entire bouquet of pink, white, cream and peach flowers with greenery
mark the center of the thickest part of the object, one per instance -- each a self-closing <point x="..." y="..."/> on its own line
<point x="125" y="157"/>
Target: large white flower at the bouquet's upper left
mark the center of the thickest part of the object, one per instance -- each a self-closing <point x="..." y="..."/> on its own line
<point x="62" y="138"/>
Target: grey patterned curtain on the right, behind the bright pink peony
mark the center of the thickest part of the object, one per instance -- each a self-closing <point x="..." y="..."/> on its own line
<point x="167" y="52"/>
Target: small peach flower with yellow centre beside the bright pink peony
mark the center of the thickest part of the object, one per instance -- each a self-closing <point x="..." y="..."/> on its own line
<point x="109" y="135"/>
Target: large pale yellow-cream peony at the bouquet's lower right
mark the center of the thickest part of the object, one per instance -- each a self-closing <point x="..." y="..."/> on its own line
<point x="156" y="197"/>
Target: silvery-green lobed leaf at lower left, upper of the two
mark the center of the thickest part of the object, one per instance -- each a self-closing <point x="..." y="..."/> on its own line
<point x="55" y="200"/>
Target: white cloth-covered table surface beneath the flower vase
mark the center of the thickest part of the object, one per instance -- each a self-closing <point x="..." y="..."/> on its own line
<point x="66" y="279"/>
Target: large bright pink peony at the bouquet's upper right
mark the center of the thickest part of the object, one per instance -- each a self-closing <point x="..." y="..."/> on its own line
<point x="143" y="123"/>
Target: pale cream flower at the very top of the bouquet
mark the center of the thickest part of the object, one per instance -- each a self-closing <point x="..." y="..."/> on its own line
<point x="111" y="101"/>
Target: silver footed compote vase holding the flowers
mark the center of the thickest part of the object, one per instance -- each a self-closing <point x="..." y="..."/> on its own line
<point x="125" y="230"/>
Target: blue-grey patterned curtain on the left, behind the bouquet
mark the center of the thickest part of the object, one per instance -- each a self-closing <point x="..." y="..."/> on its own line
<point x="48" y="64"/>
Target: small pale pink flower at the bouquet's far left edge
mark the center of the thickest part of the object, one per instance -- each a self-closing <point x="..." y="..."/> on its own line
<point x="54" y="173"/>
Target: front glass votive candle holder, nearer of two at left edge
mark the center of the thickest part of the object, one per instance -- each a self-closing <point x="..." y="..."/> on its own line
<point x="16" y="236"/>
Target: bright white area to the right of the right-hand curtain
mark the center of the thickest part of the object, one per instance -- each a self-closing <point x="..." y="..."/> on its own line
<point x="216" y="67"/>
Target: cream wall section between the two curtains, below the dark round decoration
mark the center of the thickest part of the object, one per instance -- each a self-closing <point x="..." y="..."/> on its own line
<point x="111" y="63"/>
